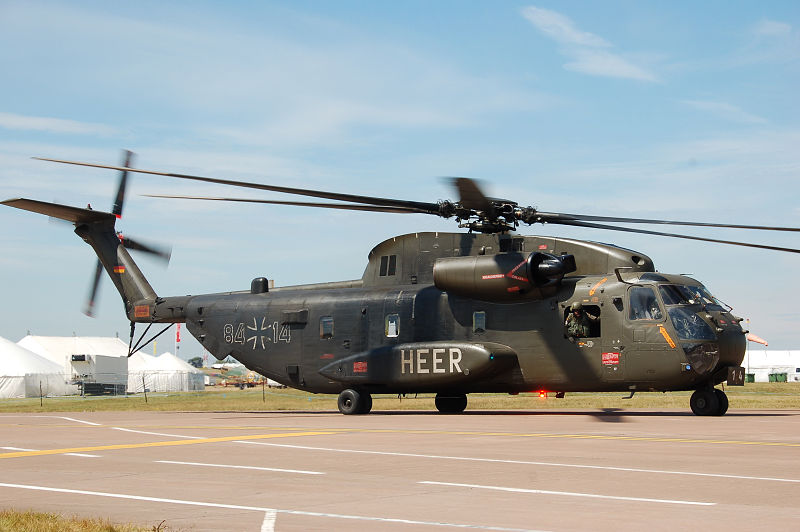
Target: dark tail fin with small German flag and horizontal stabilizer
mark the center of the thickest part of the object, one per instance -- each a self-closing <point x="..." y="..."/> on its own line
<point x="97" y="229"/>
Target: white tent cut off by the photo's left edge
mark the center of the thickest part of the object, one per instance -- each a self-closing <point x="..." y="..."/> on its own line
<point x="26" y="374"/>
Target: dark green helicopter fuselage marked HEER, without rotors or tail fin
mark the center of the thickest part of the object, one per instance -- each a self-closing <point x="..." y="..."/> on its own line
<point x="397" y="330"/>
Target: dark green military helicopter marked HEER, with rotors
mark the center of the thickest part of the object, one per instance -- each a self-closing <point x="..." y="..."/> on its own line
<point x="485" y="310"/>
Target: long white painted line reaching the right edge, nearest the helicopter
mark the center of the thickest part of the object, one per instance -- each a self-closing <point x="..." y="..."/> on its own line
<point x="522" y="462"/>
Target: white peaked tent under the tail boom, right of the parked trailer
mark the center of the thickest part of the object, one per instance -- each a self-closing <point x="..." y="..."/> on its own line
<point x="165" y="373"/>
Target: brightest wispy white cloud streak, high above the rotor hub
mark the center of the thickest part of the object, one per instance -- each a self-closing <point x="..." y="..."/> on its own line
<point x="588" y="52"/>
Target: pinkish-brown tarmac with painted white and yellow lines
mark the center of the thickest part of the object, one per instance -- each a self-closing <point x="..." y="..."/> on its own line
<point x="520" y="470"/>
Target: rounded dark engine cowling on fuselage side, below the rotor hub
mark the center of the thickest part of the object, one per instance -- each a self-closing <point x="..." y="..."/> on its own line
<point x="505" y="277"/>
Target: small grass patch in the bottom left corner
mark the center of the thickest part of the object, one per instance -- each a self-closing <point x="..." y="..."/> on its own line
<point x="16" y="521"/>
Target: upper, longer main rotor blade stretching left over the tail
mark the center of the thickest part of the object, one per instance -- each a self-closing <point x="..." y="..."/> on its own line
<point x="426" y="207"/>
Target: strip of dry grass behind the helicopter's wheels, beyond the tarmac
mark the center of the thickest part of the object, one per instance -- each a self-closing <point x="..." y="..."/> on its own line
<point x="751" y="396"/>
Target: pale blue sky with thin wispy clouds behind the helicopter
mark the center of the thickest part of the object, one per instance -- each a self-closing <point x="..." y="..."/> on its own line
<point x="672" y="110"/>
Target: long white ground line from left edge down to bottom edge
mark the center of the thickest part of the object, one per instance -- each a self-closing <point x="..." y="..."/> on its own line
<point x="263" y="510"/>
